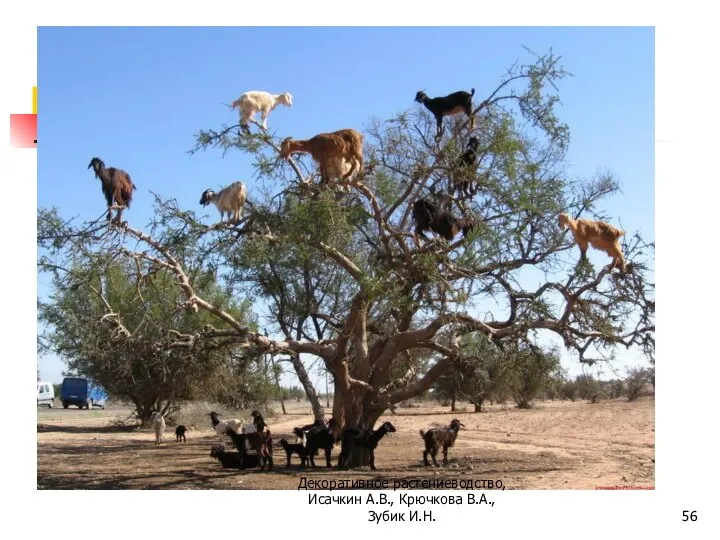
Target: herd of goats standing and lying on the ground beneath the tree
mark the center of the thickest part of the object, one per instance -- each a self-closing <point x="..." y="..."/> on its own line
<point x="254" y="443"/>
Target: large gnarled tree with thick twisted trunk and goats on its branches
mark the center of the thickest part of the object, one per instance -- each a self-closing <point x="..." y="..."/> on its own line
<point x="344" y="280"/>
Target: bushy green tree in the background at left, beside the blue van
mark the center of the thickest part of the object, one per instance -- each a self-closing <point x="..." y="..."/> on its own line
<point x="119" y="331"/>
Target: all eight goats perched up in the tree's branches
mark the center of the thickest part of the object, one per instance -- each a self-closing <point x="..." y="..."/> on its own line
<point x="339" y="155"/>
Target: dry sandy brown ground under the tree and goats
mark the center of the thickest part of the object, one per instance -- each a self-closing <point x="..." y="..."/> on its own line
<point x="557" y="445"/>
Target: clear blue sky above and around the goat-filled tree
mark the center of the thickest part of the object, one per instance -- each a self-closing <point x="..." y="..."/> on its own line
<point x="136" y="96"/>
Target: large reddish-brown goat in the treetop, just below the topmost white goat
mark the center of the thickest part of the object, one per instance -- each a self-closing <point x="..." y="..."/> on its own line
<point x="329" y="150"/>
